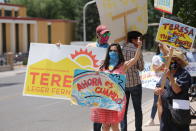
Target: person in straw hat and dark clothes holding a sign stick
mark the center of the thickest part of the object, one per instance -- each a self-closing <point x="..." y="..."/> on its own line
<point x="175" y="92"/>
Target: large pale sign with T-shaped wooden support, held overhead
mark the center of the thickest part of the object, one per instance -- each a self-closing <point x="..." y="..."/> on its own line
<point x="121" y="16"/>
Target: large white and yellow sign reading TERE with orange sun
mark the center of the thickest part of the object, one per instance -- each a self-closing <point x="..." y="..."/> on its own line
<point x="50" y="71"/>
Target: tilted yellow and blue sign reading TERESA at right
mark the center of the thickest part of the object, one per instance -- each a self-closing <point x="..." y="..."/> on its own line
<point x="175" y="34"/>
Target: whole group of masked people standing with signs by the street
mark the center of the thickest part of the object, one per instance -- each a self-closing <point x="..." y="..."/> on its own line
<point x="128" y="60"/>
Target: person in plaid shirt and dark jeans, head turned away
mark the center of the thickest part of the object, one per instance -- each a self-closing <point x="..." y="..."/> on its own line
<point x="133" y="85"/>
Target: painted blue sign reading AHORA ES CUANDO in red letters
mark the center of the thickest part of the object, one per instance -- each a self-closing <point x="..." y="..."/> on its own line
<point x="99" y="89"/>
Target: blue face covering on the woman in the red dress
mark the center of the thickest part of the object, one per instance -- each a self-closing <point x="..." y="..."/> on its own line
<point x="114" y="59"/>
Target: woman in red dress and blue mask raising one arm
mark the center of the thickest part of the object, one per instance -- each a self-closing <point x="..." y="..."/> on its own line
<point x="114" y="63"/>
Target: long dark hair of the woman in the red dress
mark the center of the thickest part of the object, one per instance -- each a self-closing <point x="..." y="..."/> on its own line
<point x="105" y="64"/>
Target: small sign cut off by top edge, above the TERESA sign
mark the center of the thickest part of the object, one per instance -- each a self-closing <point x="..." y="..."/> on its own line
<point x="164" y="5"/>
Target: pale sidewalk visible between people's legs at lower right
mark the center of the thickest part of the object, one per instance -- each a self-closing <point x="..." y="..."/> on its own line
<point x="146" y="108"/>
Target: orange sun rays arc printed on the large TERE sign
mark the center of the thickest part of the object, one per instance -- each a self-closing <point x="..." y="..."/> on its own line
<point x="85" y="52"/>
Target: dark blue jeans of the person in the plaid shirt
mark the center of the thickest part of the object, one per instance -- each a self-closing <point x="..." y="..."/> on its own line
<point x="136" y="96"/>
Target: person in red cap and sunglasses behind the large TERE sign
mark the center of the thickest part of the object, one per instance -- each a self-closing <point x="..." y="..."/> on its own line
<point x="103" y="35"/>
